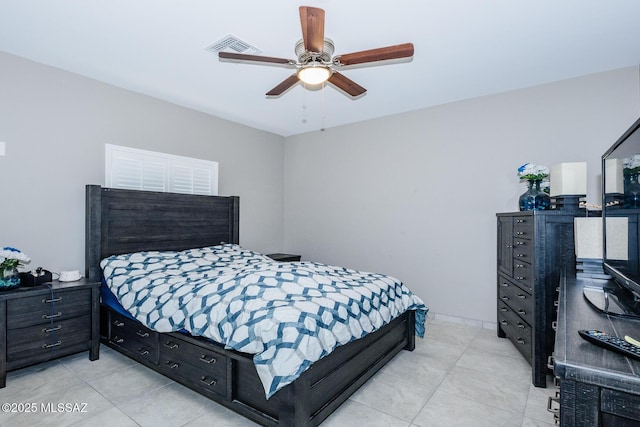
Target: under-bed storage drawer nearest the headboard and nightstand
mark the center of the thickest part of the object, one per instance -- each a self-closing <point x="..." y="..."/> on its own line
<point x="133" y="336"/>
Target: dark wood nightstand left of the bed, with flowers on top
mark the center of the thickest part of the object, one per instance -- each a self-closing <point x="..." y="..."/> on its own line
<point x="48" y="321"/>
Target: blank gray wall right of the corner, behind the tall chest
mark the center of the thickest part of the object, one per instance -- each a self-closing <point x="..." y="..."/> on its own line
<point x="415" y="195"/>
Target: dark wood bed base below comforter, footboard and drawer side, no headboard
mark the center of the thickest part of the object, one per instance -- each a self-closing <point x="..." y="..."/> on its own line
<point x="230" y="377"/>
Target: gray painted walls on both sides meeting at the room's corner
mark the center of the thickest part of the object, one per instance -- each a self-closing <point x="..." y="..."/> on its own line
<point x="412" y="195"/>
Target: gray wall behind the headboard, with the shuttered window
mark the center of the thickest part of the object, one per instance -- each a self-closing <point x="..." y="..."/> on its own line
<point x="55" y="125"/>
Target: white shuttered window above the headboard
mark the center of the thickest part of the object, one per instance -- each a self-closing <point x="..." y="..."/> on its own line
<point x="135" y="169"/>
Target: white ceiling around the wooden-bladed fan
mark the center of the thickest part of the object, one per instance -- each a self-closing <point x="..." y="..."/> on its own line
<point x="463" y="49"/>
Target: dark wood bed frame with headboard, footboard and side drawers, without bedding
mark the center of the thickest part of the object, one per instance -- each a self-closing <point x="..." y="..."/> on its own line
<point x="123" y="222"/>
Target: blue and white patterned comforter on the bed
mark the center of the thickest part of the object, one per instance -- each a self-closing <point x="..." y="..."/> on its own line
<point x="288" y="315"/>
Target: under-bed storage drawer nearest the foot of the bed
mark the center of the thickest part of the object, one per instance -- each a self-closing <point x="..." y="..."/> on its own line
<point x="203" y="368"/>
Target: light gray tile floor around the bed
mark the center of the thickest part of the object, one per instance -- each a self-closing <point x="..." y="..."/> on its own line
<point x="457" y="376"/>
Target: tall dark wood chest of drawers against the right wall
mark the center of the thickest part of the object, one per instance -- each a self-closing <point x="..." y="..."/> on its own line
<point x="533" y="248"/>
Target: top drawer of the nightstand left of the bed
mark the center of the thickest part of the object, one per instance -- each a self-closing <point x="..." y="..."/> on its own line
<point x="42" y="309"/>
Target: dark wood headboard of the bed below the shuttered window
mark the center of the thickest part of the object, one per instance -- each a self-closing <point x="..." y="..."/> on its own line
<point x="123" y="221"/>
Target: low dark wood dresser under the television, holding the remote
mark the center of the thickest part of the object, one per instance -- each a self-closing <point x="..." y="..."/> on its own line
<point x="598" y="387"/>
